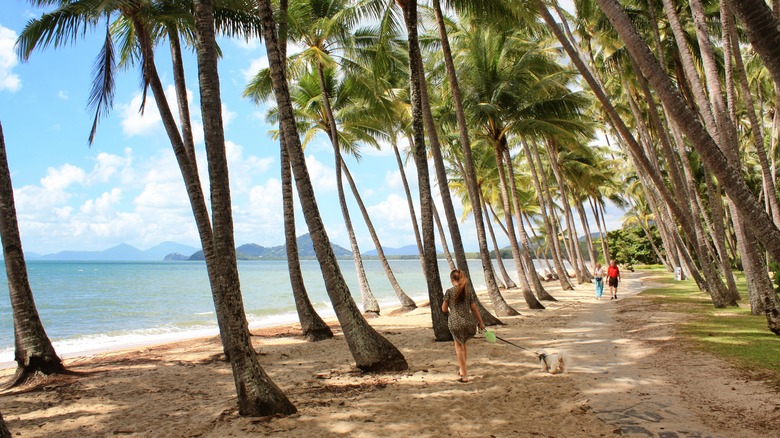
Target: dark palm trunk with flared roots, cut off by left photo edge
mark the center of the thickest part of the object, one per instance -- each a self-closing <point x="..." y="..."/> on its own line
<point x="33" y="352"/>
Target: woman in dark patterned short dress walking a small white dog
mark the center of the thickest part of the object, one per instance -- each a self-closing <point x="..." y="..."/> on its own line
<point x="464" y="318"/>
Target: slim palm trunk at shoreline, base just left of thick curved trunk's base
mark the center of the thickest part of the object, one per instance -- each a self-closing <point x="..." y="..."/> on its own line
<point x="313" y="327"/>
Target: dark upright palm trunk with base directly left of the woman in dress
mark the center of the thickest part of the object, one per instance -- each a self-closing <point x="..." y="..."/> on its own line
<point x="439" y="319"/>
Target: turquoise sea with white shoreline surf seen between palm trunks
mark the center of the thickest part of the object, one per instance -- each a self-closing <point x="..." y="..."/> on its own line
<point x="96" y="306"/>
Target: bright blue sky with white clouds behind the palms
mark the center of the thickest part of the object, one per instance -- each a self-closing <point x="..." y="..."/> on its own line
<point x="127" y="187"/>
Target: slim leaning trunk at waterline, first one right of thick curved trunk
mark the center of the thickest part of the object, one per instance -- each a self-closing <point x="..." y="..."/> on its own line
<point x="370" y="305"/>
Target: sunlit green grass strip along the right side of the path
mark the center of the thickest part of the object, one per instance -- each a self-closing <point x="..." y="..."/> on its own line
<point x="731" y="333"/>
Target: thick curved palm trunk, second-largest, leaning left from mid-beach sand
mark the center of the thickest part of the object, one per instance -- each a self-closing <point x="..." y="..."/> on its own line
<point x="371" y="351"/>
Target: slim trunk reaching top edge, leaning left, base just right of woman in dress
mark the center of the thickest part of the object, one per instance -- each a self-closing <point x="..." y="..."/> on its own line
<point x="470" y="174"/>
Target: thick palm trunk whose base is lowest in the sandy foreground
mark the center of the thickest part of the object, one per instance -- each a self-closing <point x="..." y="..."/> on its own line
<point x="257" y="394"/>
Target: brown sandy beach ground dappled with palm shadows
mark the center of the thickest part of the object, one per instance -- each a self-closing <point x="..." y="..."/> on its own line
<point x="627" y="375"/>
